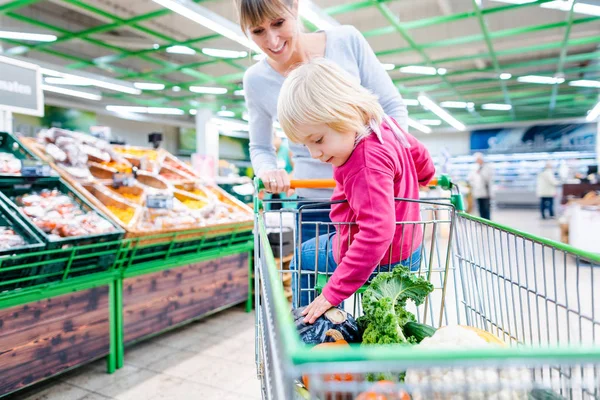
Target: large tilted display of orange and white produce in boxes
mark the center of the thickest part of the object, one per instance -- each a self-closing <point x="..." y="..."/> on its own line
<point x="131" y="175"/>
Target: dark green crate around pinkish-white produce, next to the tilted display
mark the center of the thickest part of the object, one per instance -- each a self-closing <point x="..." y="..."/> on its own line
<point x="83" y="259"/>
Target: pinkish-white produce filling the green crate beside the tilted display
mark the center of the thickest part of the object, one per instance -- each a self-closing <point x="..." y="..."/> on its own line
<point x="57" y="215"/>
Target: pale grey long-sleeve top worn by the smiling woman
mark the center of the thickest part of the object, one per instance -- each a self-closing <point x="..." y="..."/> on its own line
<point x="347" y="47"/>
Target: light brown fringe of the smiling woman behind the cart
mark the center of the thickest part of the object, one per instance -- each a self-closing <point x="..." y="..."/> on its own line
<point x="253" y="12"/>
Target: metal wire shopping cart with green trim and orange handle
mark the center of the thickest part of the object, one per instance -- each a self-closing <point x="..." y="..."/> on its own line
<point x="535" y="294"/>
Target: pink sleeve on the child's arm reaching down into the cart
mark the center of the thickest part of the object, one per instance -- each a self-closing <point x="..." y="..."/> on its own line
<point x="370" y="194"/>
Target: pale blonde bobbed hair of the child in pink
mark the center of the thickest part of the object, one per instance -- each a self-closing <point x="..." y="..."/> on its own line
<point x="321" y="92"/>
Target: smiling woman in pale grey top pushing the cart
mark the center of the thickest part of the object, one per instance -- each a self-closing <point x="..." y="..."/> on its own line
<point x="273" y="25"/>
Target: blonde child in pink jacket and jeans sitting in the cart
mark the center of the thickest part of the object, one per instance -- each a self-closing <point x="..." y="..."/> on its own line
<point x="374" y="161"/>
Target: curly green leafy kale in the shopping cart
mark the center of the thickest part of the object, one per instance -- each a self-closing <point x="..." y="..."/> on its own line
<point x="384" y="305"/>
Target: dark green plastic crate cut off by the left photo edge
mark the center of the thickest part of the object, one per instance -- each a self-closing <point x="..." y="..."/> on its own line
<point x="14" y="261"/>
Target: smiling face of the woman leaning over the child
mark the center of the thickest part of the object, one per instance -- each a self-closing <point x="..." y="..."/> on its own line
<point x="277" y="37"/>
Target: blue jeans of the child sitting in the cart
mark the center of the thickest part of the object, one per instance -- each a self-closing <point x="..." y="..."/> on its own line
<point x="323" y="257"/>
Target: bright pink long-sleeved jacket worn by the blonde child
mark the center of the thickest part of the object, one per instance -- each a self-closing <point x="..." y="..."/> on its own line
<point x="370" y="179"/>
